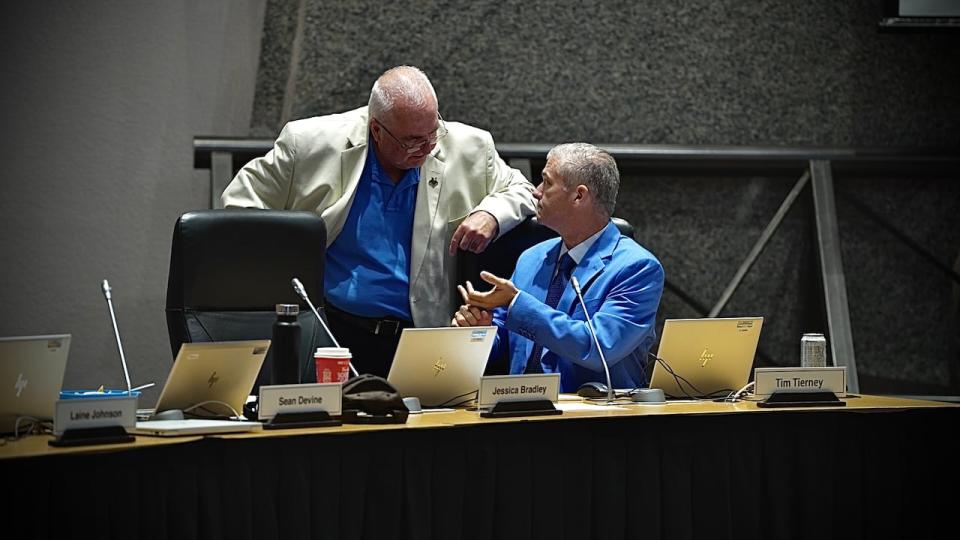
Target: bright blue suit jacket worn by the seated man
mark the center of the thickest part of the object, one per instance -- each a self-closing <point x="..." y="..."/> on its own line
<point x="621" y="283"/>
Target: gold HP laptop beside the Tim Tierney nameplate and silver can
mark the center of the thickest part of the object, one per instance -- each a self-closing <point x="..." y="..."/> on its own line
<point x="707" y="357"/>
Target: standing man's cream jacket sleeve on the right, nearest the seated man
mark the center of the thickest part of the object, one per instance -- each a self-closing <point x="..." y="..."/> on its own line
<point x="510" y="195"/>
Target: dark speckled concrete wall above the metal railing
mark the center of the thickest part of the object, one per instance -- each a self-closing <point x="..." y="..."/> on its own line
<point x="815" y="72"/>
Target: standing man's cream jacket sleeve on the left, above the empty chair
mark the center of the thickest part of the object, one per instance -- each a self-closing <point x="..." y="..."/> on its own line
<point x="265" y="182"/>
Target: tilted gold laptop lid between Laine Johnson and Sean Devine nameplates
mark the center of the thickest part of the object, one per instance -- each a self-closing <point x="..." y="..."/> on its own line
<point x="207" y="377"/>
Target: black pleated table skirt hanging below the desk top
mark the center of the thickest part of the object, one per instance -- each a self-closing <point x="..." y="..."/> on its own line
<point x="794" y="474"/>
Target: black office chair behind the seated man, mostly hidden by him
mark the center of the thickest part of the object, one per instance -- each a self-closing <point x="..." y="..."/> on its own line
<point x="500" y="258"/>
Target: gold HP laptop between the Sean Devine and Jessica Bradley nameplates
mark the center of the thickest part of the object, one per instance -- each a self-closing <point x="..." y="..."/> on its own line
<point x="441" y="366"/>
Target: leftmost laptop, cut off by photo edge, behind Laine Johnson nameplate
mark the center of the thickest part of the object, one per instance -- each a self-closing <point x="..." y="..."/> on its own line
<point x="31" y="374"/>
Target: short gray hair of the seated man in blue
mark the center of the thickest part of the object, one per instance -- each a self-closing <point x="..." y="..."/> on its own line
<point x="583" y="163"/>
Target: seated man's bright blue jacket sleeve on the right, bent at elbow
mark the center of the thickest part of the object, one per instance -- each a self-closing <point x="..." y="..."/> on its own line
<point x="625" y="317"/>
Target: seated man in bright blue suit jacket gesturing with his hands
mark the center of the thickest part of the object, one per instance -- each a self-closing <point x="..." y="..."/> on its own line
<point x="540" y="321"/>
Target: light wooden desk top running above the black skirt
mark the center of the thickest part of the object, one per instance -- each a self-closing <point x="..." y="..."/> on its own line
<point x="572" y="406"/>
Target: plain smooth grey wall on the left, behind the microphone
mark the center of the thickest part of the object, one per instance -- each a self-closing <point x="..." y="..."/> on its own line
<point x="100" y="103"/>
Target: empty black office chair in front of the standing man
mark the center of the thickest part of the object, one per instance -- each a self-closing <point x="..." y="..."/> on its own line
<point x="228" y="270"/>
